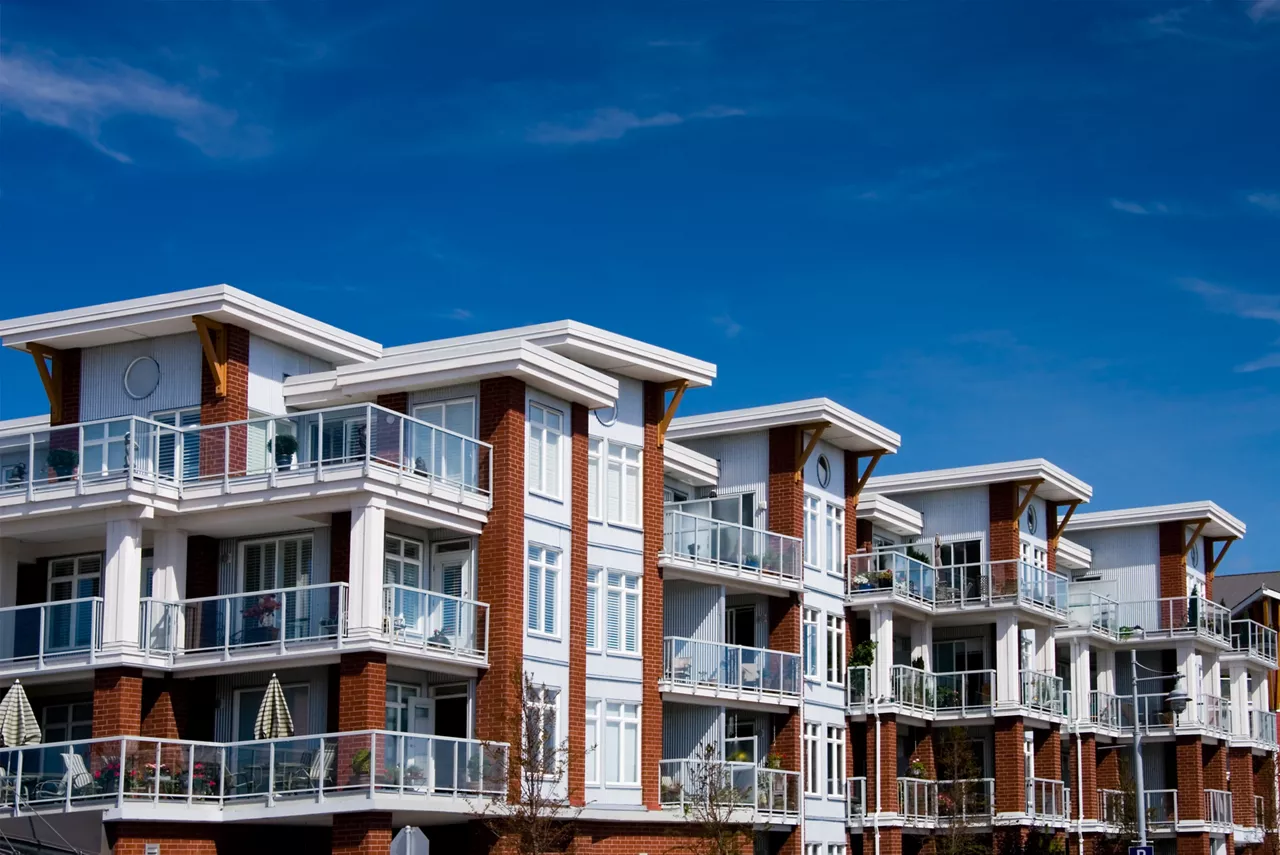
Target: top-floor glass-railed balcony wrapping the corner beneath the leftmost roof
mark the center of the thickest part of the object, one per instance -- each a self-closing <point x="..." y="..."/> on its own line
<point x="198" y="463"/>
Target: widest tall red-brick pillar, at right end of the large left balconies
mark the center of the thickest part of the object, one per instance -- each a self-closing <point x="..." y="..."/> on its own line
<point x="501" y="561"/>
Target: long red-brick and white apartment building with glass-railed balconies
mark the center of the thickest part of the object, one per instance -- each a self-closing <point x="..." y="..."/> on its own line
<point x="226" y="491"/>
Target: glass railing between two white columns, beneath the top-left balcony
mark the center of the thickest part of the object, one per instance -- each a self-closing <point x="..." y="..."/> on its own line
<point x="281" y="619"/>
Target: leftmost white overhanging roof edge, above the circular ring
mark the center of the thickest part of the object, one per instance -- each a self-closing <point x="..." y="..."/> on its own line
<point x="171" y="314"/>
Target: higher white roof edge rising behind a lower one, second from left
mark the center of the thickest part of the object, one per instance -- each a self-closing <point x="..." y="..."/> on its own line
<point x="591" y="346"/>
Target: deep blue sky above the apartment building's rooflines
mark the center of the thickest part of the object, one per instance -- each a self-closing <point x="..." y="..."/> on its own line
<point x="1002" y="230"/>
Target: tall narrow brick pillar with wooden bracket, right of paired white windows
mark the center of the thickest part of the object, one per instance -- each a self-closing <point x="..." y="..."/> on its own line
<point x="652" y="596"/>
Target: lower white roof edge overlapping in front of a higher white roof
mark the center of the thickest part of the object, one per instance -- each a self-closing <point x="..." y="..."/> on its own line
<point x="441" y="368"/>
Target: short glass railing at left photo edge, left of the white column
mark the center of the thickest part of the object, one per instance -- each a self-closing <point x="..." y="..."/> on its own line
<point x="42" y="634"/>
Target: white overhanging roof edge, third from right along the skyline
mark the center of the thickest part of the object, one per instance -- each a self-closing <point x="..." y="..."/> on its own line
<point x="845" y="428"/>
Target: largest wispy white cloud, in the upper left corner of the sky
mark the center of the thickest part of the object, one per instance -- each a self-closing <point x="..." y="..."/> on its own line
<point x="83" y="95"/>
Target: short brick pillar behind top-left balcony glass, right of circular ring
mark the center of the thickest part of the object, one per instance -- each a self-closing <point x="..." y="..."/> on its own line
<point x="216" y="455"/>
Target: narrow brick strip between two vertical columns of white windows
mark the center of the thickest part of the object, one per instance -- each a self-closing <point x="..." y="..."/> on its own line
<point x="579" y="486"/>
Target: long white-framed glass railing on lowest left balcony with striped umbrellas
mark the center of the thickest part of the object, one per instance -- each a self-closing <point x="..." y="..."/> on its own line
<point x="140" y="770"/>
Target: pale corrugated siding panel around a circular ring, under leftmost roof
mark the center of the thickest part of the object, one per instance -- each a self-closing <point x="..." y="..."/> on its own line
<point x="103" y="377"/>
